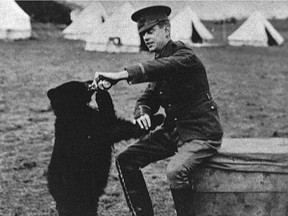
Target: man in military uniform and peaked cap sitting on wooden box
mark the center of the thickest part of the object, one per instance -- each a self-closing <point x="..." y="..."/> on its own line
<point x="191" y="132"/>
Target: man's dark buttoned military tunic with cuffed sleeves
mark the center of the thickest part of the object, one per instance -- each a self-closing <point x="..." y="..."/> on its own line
<point x="178" y="83"/>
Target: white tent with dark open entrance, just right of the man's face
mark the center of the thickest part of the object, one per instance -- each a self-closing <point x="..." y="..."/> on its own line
<point x="187" y="27"/>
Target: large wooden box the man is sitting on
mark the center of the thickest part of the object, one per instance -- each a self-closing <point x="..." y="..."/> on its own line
<point x="248" y="177"/>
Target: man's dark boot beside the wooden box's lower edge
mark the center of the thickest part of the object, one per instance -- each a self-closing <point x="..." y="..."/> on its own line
<point x="183" y="201"/>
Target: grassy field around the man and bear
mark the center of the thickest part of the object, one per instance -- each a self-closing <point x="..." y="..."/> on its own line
<point x="249" y="84"/>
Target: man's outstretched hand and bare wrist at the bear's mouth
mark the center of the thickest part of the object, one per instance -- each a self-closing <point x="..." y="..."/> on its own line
<point x="104" y="80"/>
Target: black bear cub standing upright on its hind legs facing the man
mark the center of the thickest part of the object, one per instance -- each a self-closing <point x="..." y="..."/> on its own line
<point x="84" y="136"/>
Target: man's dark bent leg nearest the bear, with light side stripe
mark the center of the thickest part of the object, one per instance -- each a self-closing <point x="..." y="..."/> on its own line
<point x="153" y="147"/>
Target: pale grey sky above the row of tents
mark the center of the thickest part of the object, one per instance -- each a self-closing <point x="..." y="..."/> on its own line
<point x="211" y="9"/>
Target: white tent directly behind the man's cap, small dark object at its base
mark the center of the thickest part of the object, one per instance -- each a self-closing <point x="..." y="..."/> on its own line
<point x="118" y="34"/>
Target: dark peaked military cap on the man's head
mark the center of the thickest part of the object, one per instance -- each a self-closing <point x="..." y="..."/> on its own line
<point x="150" y="16"/>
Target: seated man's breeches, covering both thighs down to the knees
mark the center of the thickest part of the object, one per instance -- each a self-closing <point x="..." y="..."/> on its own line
<point x="162" y="144"/>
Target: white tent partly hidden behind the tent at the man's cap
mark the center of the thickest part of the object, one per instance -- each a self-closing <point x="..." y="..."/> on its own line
<point x="91" y="18"/>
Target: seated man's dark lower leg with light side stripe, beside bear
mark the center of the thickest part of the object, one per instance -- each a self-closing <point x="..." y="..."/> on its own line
<point x="135" y="190"/>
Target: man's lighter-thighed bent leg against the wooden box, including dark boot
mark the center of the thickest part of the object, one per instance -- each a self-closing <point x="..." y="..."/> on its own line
<point x="181" y="168"/>
